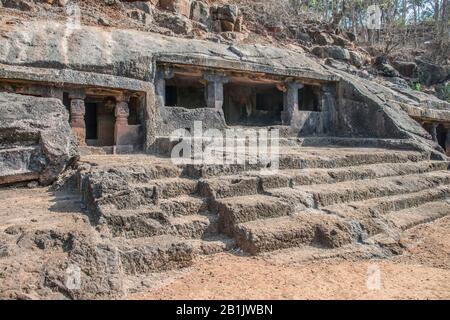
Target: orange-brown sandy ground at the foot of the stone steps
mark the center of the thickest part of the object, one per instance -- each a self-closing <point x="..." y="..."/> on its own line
<point x="423" y="272"/>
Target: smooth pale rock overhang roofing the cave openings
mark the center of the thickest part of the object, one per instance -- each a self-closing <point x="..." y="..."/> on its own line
<point x="132" y="54"/>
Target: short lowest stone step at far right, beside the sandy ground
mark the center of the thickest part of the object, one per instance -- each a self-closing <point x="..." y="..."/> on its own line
<point x="408" y="218"/>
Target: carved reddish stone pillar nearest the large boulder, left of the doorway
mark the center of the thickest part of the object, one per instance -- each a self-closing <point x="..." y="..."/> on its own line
<point x="77" y="112"/>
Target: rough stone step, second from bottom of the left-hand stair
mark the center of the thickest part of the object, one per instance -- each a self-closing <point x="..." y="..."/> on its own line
<point x="149" y="222"/>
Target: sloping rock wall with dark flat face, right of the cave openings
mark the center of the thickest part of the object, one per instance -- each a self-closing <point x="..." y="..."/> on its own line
<point x="372" y="110"/>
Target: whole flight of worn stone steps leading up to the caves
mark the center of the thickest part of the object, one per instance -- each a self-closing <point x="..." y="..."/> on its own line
<point x="161" y="215"/>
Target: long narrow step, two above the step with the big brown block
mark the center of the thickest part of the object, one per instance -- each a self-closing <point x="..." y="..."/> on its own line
<point x="254" y="182"/>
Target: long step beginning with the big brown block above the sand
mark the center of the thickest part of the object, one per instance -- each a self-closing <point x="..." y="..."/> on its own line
<point x="338" y="225"/>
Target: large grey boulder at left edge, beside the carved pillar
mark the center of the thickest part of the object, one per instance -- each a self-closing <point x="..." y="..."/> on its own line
<point x="36" y="141"/>
